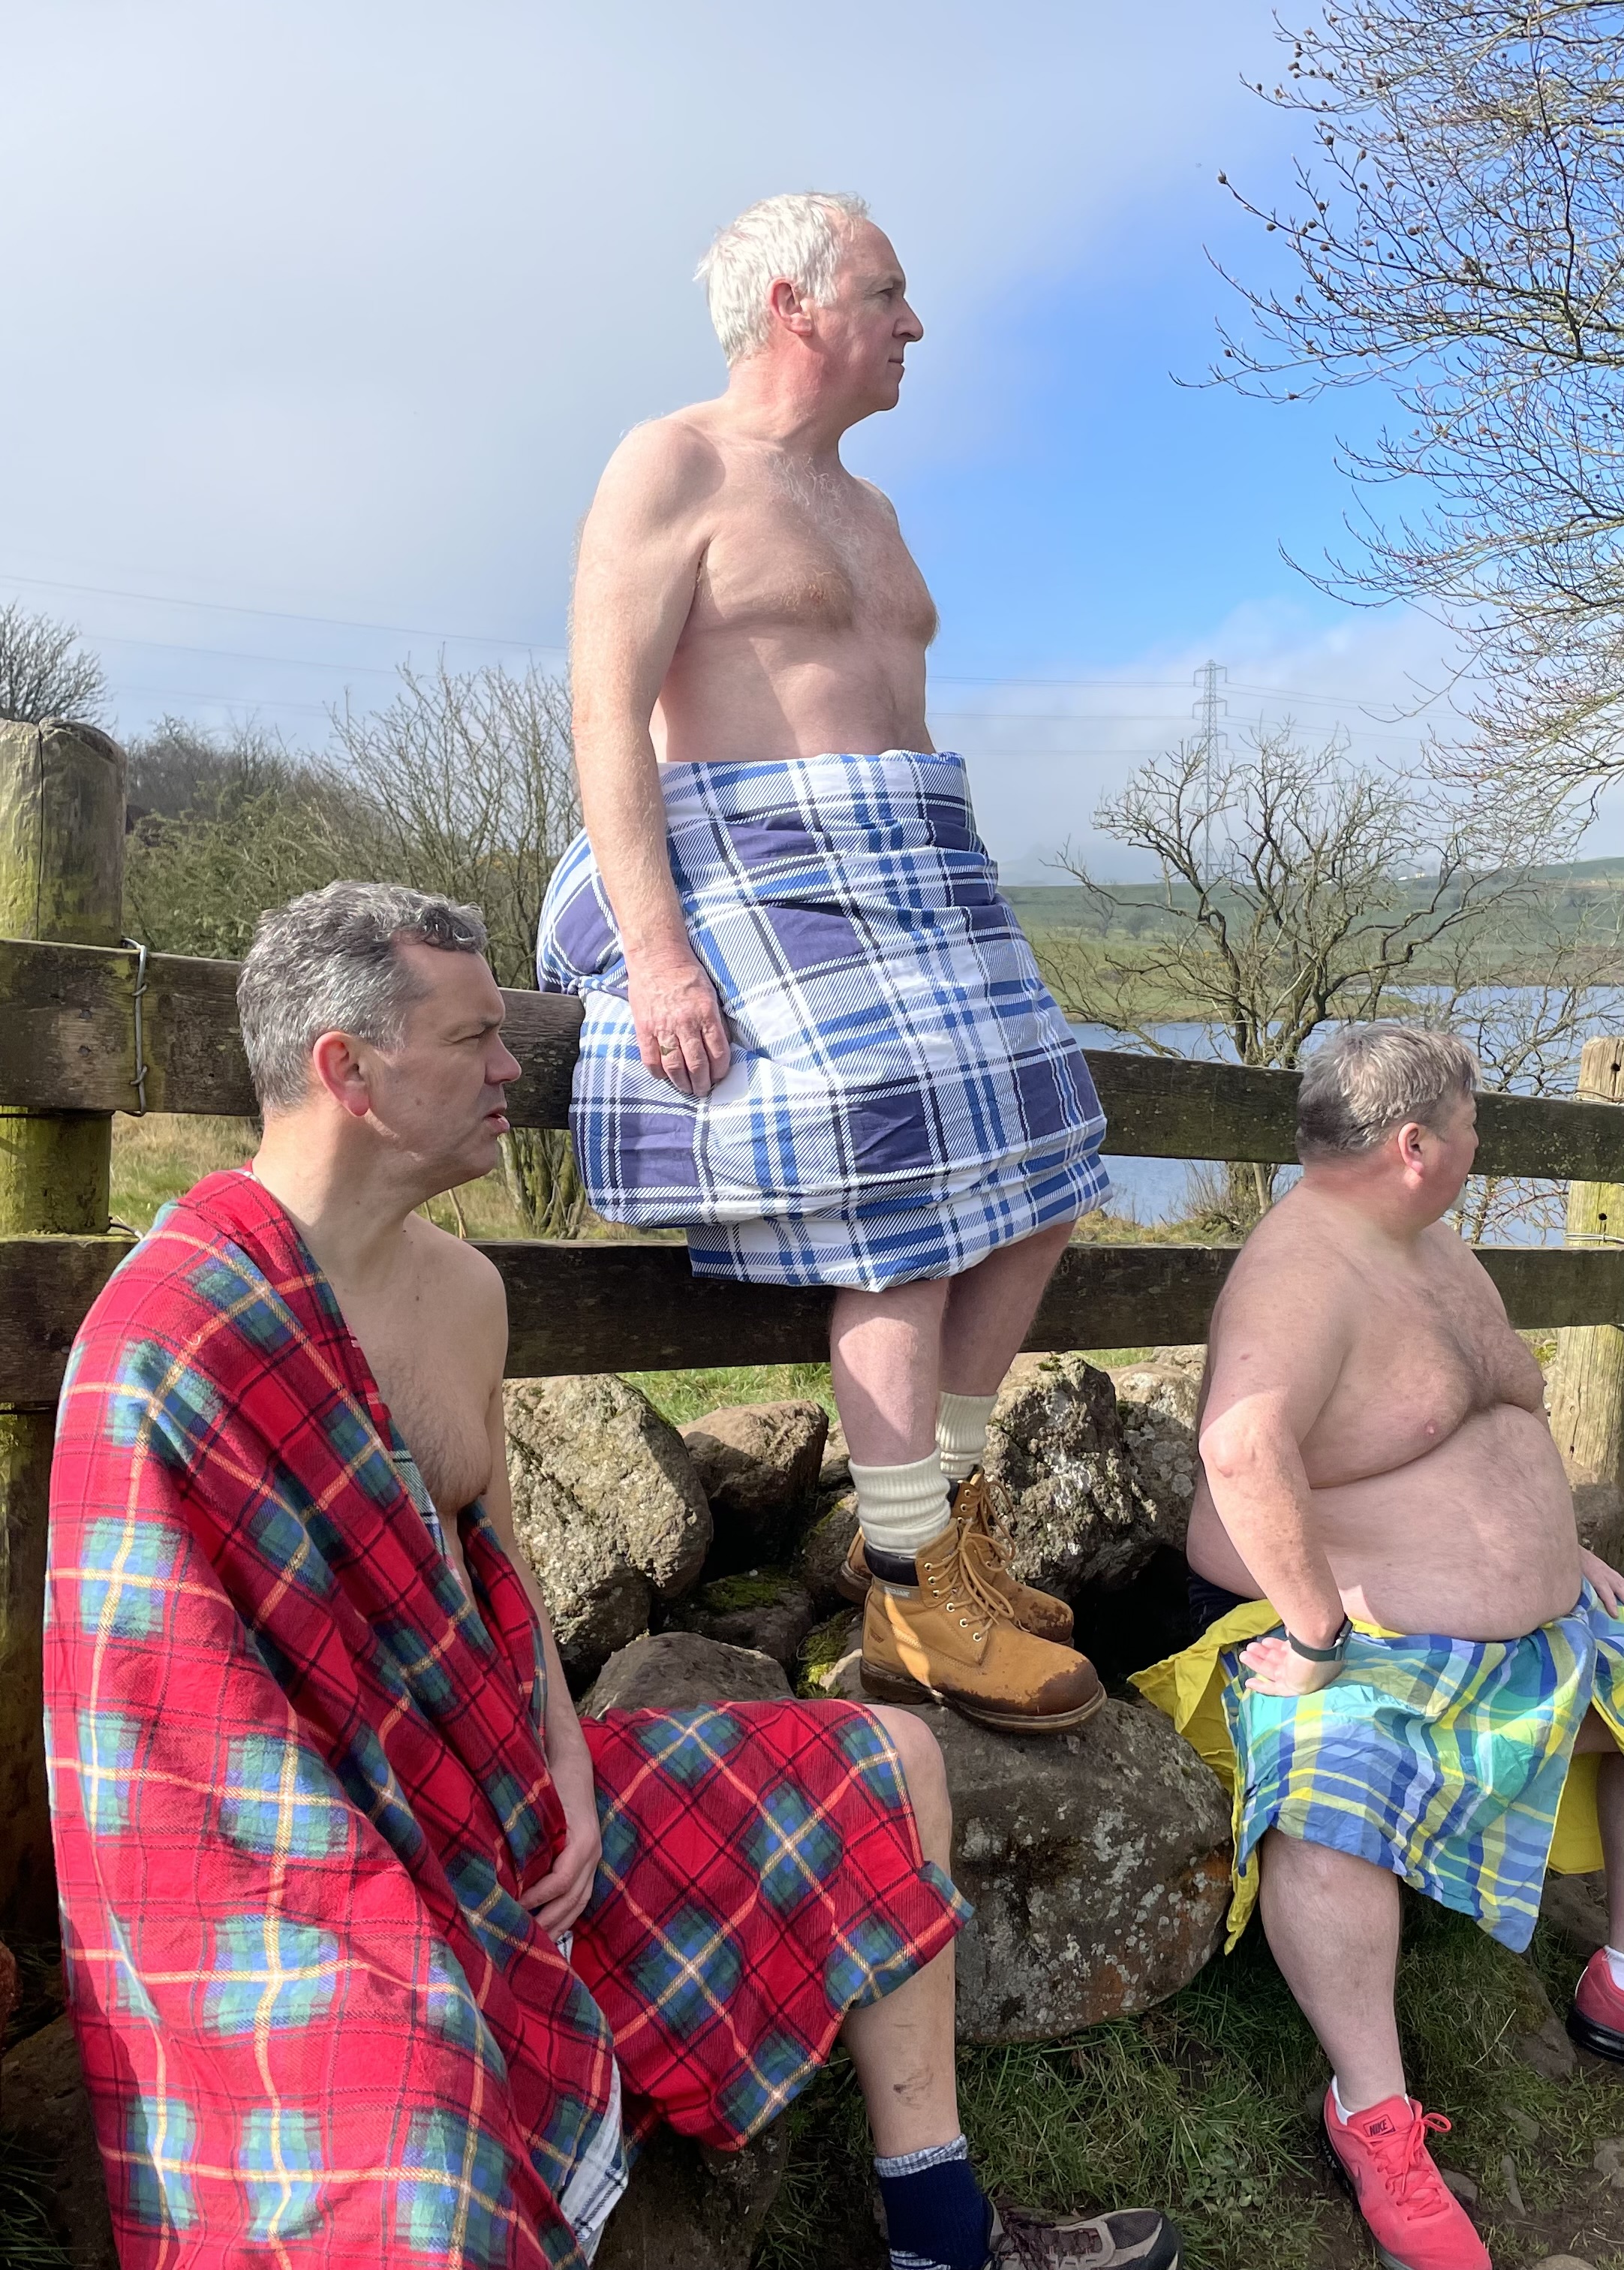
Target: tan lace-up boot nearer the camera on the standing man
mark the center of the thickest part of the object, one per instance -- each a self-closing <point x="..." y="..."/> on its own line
<point x="938" y="1631"/>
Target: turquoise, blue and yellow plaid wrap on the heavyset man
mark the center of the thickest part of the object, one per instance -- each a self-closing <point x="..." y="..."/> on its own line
<point x="1444" y="1760"/>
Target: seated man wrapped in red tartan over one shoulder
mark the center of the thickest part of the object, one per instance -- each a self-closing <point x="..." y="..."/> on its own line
<point x="375" y="1953"/>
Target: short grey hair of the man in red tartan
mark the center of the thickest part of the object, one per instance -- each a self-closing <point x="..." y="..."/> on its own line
<point x="328" y="964"/>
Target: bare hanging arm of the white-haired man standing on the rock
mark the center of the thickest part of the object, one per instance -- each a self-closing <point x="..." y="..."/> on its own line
<point x="641" y="553"/>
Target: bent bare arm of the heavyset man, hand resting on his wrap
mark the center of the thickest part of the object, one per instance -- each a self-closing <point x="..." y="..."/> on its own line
<point x="1278" y="1352"/>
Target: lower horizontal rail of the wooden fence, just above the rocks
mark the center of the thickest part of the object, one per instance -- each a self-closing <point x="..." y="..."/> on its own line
<point x="634" y="1306"/>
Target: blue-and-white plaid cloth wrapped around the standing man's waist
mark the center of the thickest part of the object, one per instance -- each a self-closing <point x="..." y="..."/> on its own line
<point x="904" y="1093"/>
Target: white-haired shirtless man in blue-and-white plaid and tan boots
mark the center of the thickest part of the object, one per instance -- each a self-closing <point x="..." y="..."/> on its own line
<point x="815" y="1034"/>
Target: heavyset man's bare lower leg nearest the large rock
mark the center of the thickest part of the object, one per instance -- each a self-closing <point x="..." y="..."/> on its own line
<point x="1335" y="1928"/>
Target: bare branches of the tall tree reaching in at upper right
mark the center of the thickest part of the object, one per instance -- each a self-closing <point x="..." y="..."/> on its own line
<point x="1460" y="233"/>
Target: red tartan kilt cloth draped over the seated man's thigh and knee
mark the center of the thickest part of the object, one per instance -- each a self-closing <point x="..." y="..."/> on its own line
<point x="763" y="1865"/>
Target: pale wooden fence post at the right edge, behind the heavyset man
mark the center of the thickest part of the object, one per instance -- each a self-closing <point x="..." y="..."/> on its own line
<point x="1589" y="1374"/>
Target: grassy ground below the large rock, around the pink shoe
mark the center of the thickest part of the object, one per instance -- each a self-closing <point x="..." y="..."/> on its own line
<point x="1206" y="2108"/>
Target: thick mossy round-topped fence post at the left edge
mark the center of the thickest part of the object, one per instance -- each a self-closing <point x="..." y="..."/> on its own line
<point x="62" y="875"/>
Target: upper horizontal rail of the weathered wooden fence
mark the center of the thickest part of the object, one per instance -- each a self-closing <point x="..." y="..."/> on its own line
<point x="69" y="1045"/>
